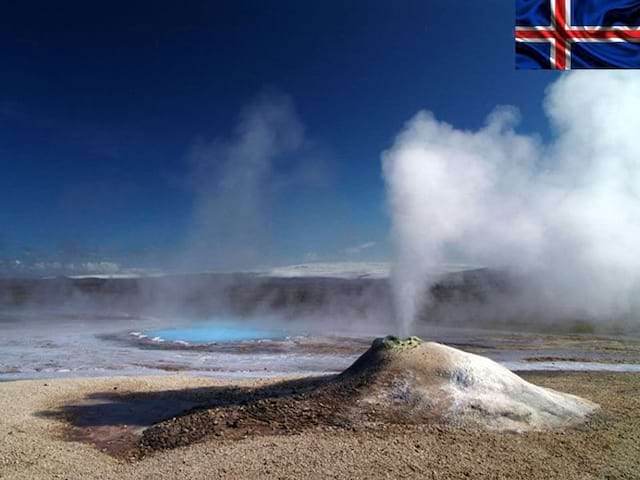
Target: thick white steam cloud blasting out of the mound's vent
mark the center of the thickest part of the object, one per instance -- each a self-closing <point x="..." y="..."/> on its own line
<point x="565" y="214"/>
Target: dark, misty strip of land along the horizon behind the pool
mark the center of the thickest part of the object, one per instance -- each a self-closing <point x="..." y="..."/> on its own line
<point x="476" y="299"/>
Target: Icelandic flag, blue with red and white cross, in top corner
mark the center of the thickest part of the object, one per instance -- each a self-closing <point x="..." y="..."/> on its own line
<point x="568" y="34"/>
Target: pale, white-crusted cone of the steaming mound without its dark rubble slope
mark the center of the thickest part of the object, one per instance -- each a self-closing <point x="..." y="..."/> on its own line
<point x="413" y="381"/>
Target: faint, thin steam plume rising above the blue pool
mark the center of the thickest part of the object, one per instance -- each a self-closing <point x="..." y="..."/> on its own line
<point x="233" y="181"/>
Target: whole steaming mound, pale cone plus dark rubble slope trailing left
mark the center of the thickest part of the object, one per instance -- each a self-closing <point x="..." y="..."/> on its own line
<point x="396" y="382"/>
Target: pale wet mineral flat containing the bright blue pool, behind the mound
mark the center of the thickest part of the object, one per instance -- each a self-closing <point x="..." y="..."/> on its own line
<point x="63" y="344"/>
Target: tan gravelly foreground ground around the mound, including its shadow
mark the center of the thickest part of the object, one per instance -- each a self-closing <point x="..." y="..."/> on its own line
<point x="54" y="429"/>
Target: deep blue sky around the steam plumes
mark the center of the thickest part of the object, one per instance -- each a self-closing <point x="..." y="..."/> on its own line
<point x="101" y="102"/>
